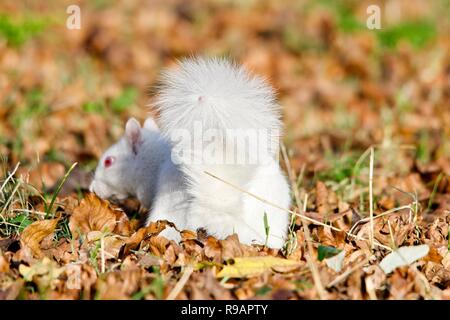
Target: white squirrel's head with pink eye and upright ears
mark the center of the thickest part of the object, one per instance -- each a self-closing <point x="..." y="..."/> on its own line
<point x="118" y="166"/>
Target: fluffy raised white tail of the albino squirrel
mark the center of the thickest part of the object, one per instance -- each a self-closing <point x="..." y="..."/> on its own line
<point x="221" y="119"/>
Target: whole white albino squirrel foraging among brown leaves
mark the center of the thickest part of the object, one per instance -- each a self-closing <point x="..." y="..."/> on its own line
<point x="215" y="120"/>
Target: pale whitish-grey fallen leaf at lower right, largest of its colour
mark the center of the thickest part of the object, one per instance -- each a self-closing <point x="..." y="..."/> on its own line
<point x="403" y="256"/>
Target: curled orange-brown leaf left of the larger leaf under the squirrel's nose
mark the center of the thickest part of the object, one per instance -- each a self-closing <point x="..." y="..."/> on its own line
<point x="35" y="233"/>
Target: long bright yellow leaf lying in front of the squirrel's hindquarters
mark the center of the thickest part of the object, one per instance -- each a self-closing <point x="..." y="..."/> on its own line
<point x="253" y="266"/>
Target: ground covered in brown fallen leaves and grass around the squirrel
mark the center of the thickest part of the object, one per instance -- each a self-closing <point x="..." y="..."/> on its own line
<point x="367" y="138"/>
